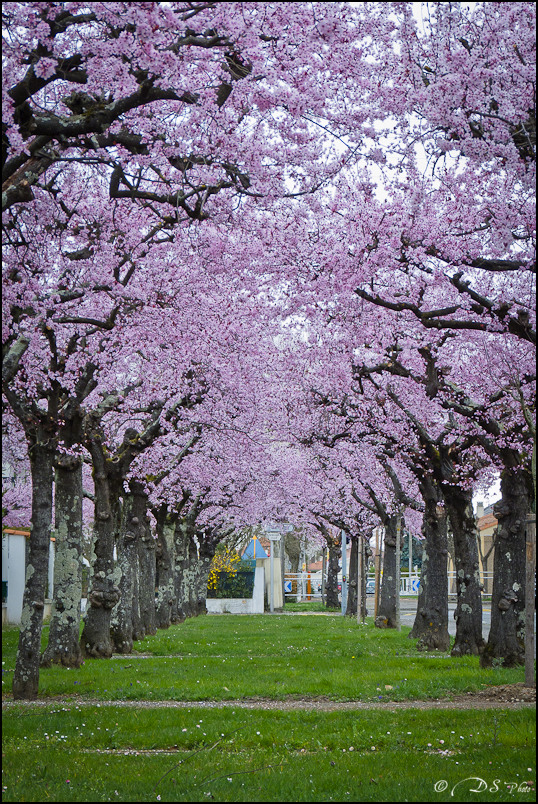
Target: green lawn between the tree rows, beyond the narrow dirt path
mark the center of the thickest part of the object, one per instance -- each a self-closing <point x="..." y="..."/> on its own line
<point x="229" y="657"/>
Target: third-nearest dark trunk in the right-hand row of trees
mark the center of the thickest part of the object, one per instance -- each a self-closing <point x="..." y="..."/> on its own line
<point x="431" y="621"/>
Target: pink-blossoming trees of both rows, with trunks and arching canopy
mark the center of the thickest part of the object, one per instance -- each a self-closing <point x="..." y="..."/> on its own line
<point x="268" y="260"/>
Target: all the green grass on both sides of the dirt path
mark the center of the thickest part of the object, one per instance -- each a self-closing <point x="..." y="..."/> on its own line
<point x="79" y="750"/>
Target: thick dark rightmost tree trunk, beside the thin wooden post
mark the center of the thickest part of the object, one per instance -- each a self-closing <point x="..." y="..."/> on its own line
<point x="506" y="641"/>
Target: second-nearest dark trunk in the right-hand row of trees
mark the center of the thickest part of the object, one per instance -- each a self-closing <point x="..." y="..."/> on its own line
<point x="468" y="614"/>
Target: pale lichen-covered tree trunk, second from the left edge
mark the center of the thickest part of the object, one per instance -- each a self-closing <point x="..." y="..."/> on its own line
<point x="64" y="633"/>
